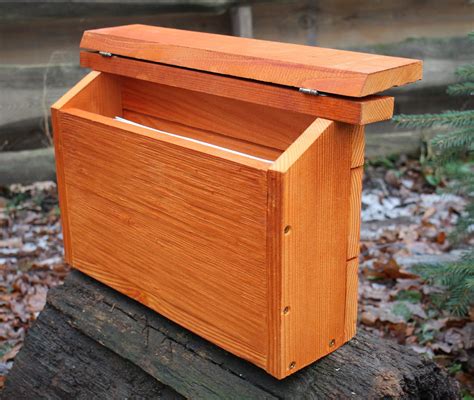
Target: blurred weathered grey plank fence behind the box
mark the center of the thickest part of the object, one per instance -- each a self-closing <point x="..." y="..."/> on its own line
<point x="39" y="48"/>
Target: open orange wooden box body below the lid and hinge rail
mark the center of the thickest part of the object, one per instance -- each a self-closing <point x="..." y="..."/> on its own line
<point x="198" y="234"/>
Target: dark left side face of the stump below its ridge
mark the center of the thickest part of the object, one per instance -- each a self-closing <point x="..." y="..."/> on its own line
<point x="59" y="362"/>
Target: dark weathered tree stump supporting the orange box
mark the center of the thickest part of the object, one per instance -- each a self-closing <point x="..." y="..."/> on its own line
<point x="92" y="342"/>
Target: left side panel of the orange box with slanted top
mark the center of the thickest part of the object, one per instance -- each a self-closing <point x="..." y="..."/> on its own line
<point x="96" y="92"/>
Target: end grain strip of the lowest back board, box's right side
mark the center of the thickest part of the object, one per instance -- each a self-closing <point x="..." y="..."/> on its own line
<point x="352" y="296"/>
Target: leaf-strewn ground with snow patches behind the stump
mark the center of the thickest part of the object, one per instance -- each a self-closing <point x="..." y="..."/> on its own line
<point x="405" y="221"/>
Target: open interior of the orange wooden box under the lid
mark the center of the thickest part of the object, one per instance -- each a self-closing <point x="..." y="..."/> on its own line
<point x="252" y="130"/>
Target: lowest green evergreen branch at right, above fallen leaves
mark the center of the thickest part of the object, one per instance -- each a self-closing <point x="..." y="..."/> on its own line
<point x="457" y="280"/>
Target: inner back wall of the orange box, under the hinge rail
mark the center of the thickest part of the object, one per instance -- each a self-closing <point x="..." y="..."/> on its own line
<point x="266" y="126"/>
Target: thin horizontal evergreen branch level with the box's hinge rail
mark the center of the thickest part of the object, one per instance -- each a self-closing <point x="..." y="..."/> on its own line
<point x="455" y="119"/>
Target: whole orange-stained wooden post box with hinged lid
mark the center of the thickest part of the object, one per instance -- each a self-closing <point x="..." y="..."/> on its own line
<point x="226" y="195"/>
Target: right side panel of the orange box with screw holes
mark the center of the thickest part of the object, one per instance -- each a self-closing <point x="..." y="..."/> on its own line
<point x="309" y="211"/>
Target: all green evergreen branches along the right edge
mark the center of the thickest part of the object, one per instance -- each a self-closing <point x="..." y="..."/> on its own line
<point x="452" y="158"/>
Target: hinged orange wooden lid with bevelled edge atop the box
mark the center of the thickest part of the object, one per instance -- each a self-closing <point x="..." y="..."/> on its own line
<point x="339" y="72"/>
